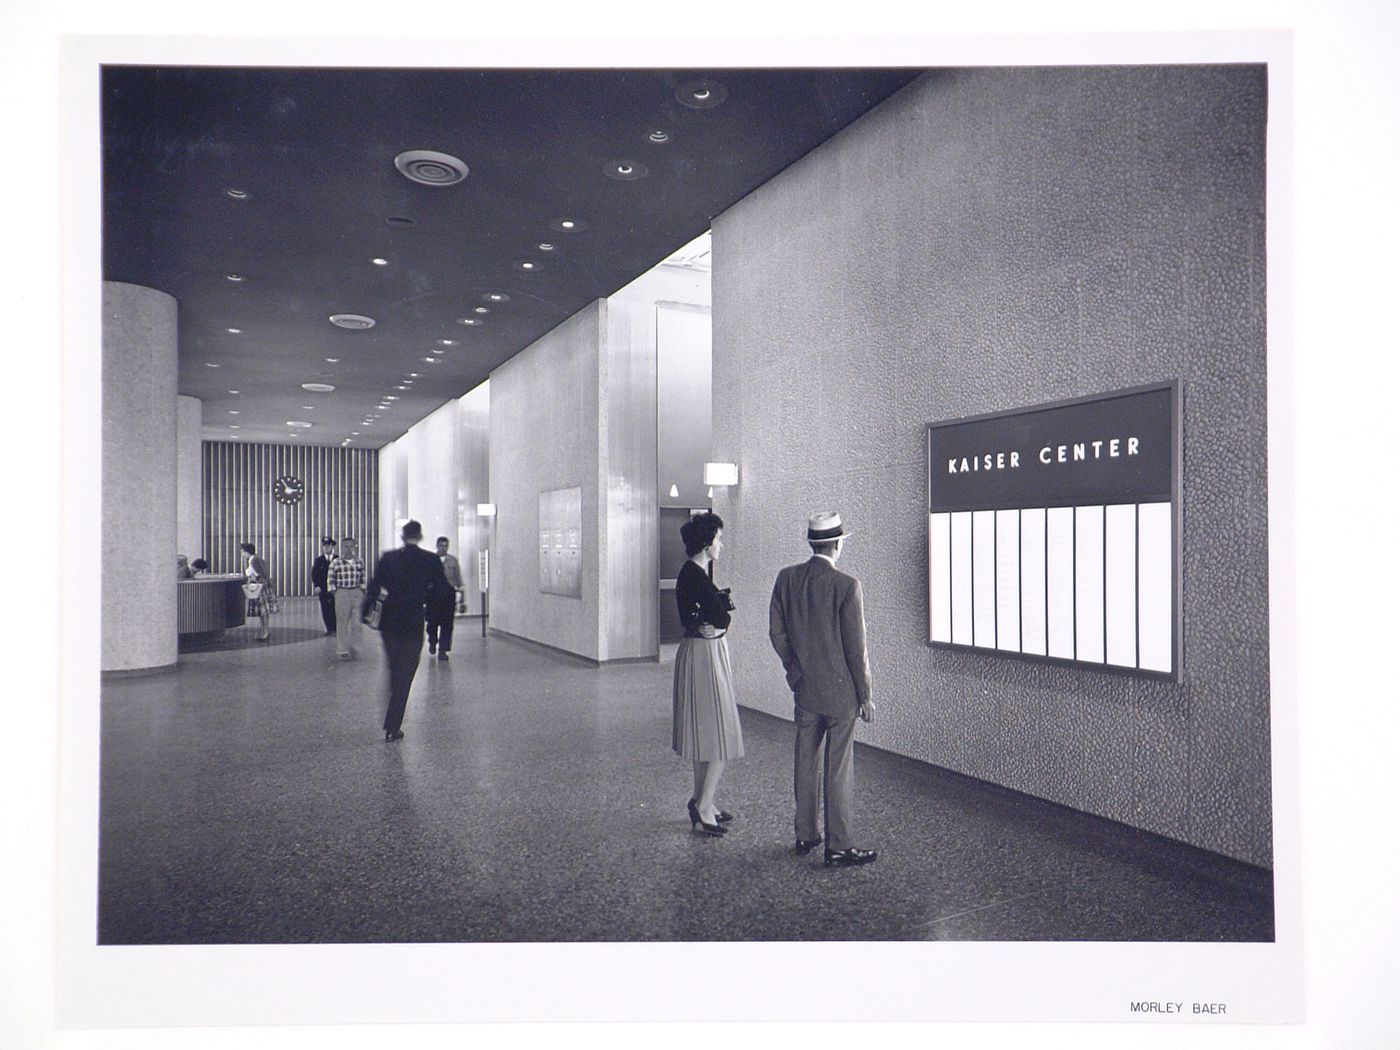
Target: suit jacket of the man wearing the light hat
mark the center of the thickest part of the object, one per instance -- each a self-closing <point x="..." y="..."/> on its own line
<point x="817" y="625"/>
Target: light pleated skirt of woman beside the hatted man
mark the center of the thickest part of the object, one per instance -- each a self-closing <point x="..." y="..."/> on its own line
<point x="705" y="715"/>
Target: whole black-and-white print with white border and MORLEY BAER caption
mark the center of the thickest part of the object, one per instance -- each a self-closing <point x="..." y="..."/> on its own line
<point x="605" y="533"/>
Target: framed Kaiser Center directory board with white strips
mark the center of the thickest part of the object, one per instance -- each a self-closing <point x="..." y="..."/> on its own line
<point x="1055" y="533"/>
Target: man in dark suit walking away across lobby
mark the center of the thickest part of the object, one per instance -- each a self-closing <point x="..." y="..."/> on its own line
<point x="408" y="579"/>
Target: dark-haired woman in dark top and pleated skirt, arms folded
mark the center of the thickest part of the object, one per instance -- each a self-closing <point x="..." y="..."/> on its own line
<point x="705" y="713"/>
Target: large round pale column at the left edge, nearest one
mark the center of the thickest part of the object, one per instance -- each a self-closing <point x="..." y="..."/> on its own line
<point x="139" y="478"/>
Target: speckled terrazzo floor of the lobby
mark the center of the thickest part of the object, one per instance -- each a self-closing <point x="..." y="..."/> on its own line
<point x="250" y="799"/>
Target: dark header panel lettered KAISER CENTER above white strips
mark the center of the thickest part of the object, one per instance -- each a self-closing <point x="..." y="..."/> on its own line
<point x="1112" y="449"/>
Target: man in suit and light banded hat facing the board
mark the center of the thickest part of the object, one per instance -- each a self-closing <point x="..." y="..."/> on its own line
<point x="817" y="624"/>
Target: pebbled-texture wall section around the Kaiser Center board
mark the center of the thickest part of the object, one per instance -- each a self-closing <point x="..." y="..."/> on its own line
<point x="988" y="240"/>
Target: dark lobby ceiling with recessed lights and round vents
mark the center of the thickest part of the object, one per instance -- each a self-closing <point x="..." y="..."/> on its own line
<point x="313" y="152"/>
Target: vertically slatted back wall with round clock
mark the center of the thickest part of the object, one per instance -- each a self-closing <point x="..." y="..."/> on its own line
<point x="341" y="499"/>
